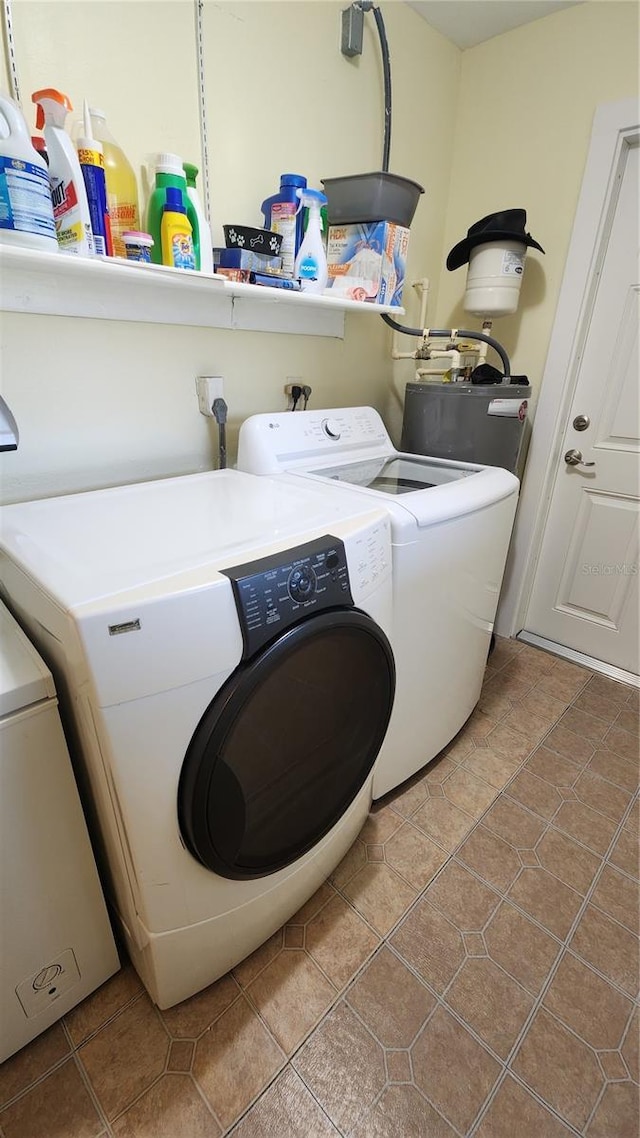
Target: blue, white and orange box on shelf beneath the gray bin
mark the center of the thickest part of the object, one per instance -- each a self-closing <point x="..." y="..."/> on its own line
<point x="367" y="262"/>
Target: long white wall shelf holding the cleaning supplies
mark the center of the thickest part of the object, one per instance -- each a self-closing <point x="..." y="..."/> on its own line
<point x="59" y="285"/>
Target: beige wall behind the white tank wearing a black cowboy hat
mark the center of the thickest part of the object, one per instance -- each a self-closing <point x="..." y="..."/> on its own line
<point x="527" y="108"/>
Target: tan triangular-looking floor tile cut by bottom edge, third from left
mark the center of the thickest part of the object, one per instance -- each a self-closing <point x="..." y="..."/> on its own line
<point x="286" y="1108"/>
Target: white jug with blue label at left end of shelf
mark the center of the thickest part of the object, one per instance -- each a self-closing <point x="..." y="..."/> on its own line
<point x="27" y="213"/>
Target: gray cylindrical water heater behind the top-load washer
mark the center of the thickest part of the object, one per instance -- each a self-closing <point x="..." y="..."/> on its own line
<point x="467" y="423"/>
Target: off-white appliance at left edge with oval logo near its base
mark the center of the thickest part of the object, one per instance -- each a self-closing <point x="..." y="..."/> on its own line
<point x="58" y="944"/>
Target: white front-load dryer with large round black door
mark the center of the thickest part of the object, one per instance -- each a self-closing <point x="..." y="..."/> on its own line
<point x="223" y="645"/>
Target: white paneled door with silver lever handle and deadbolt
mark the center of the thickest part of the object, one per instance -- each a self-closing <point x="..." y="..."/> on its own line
<point x="587" y="582"/>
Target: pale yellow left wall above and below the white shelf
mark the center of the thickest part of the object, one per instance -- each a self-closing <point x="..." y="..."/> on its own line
<point x="104" y="402"/>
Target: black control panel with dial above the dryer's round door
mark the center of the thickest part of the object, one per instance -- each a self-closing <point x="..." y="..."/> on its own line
<point x="276" y="592"/>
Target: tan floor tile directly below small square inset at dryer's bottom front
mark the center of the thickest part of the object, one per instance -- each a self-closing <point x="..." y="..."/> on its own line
<point x="292" y="995"/>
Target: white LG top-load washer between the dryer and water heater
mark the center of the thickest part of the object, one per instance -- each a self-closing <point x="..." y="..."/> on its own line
<point x="452" y="524"/>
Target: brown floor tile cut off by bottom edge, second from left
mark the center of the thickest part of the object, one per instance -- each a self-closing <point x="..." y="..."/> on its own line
<point x="173" y="1107"/>
